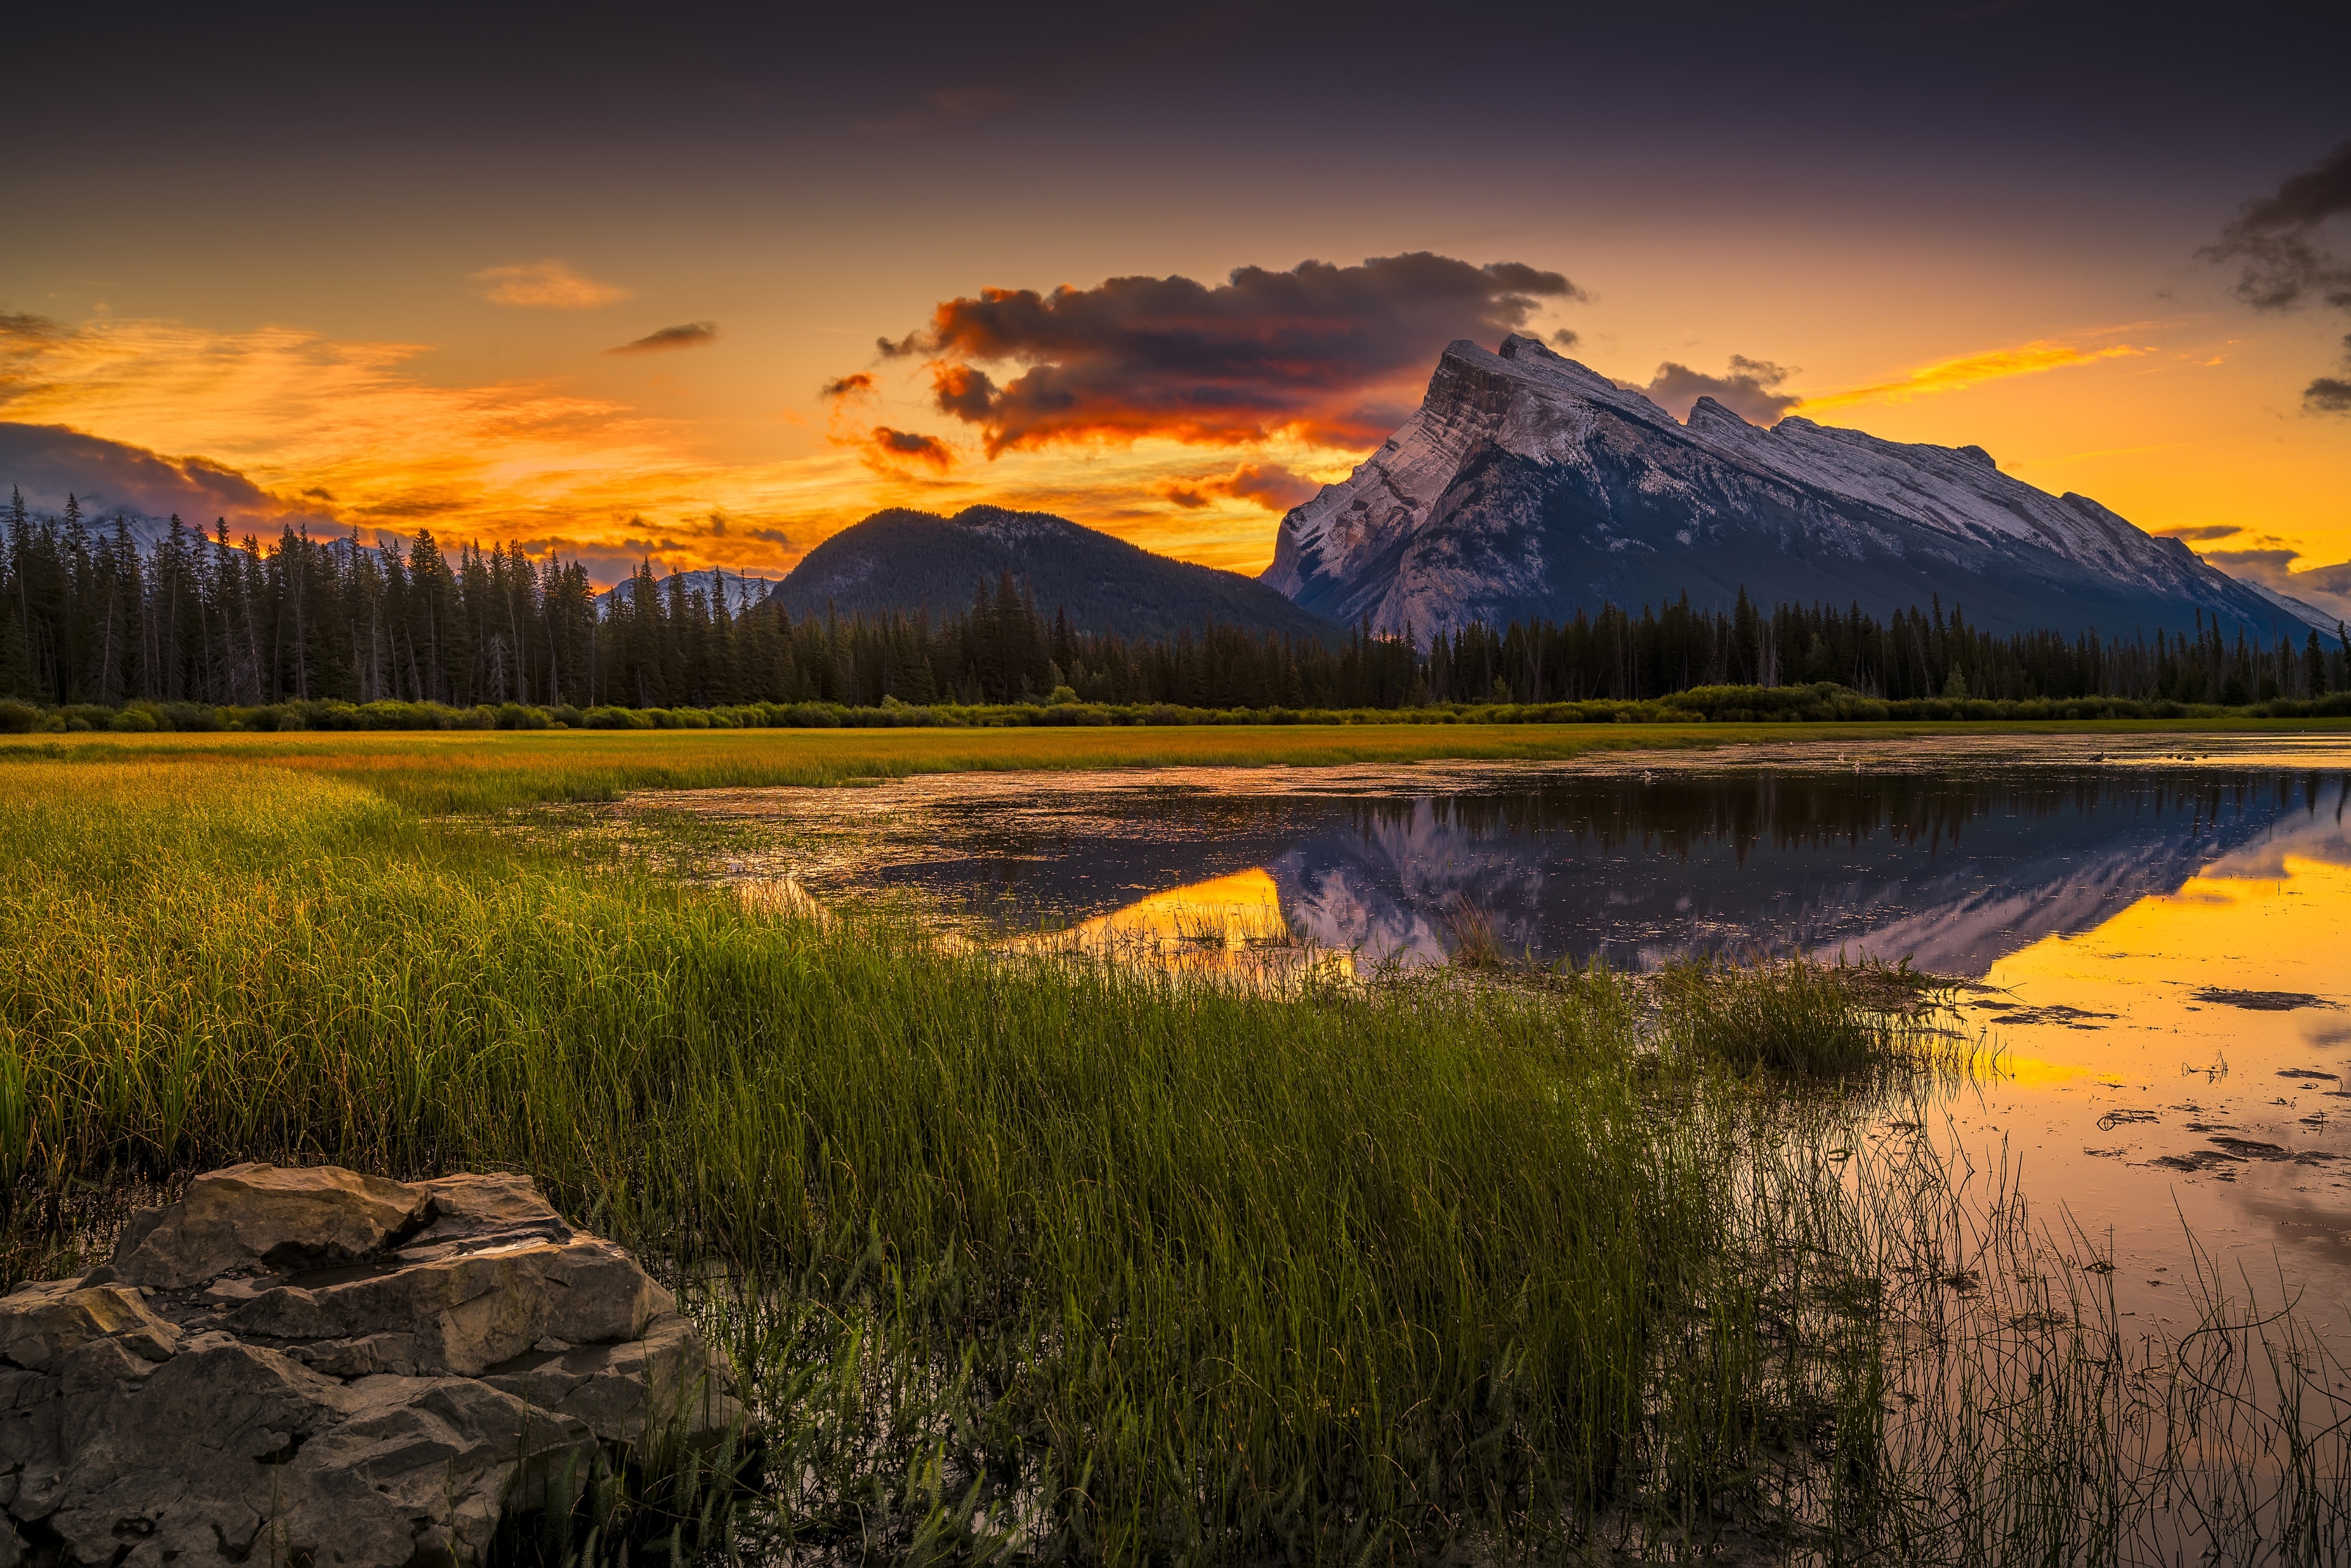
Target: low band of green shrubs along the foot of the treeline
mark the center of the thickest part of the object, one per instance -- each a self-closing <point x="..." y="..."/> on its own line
<point x="1699" y="706"/>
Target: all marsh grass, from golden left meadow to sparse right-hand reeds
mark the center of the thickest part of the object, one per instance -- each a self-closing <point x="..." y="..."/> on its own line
<point x="1043" y="1259"/>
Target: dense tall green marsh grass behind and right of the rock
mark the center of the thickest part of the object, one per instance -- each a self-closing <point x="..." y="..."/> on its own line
<point x="1191" y="1268"/>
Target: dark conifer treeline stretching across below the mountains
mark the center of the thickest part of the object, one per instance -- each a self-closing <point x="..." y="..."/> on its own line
<point x="88" y="617"/>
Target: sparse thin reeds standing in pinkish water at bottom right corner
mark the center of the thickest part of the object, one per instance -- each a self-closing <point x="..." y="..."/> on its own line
<point x="1995" y="1407"/>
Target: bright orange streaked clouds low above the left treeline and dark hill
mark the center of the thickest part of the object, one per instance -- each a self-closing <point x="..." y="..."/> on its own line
<point x="347" y="434"/>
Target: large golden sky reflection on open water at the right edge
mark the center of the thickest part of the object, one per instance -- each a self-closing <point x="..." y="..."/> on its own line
<point x="2145" y="1106"/>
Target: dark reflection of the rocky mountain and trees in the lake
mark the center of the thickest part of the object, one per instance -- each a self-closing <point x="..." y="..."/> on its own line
<point x="1950" y="869"/>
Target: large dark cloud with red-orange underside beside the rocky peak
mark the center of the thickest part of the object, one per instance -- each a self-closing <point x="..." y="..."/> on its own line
<point x="1224" y="366"/>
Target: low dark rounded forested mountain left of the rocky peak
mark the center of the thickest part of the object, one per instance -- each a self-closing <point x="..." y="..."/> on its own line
<point x="920" y="561"/>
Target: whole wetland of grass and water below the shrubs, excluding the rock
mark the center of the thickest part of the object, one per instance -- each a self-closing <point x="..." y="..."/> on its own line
<point x="1595" y="1144"/>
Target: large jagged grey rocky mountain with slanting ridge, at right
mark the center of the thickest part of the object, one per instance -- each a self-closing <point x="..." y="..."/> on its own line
<point x="1529" y="485"/>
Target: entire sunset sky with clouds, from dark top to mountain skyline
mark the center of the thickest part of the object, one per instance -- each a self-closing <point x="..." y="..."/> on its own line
<point x="709" y="290"/>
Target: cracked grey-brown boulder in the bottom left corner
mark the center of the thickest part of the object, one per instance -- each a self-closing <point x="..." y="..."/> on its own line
<point x="335" y="1369"/>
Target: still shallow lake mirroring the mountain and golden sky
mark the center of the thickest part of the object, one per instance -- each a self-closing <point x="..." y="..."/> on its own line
<point x="2155" y="930"/>
